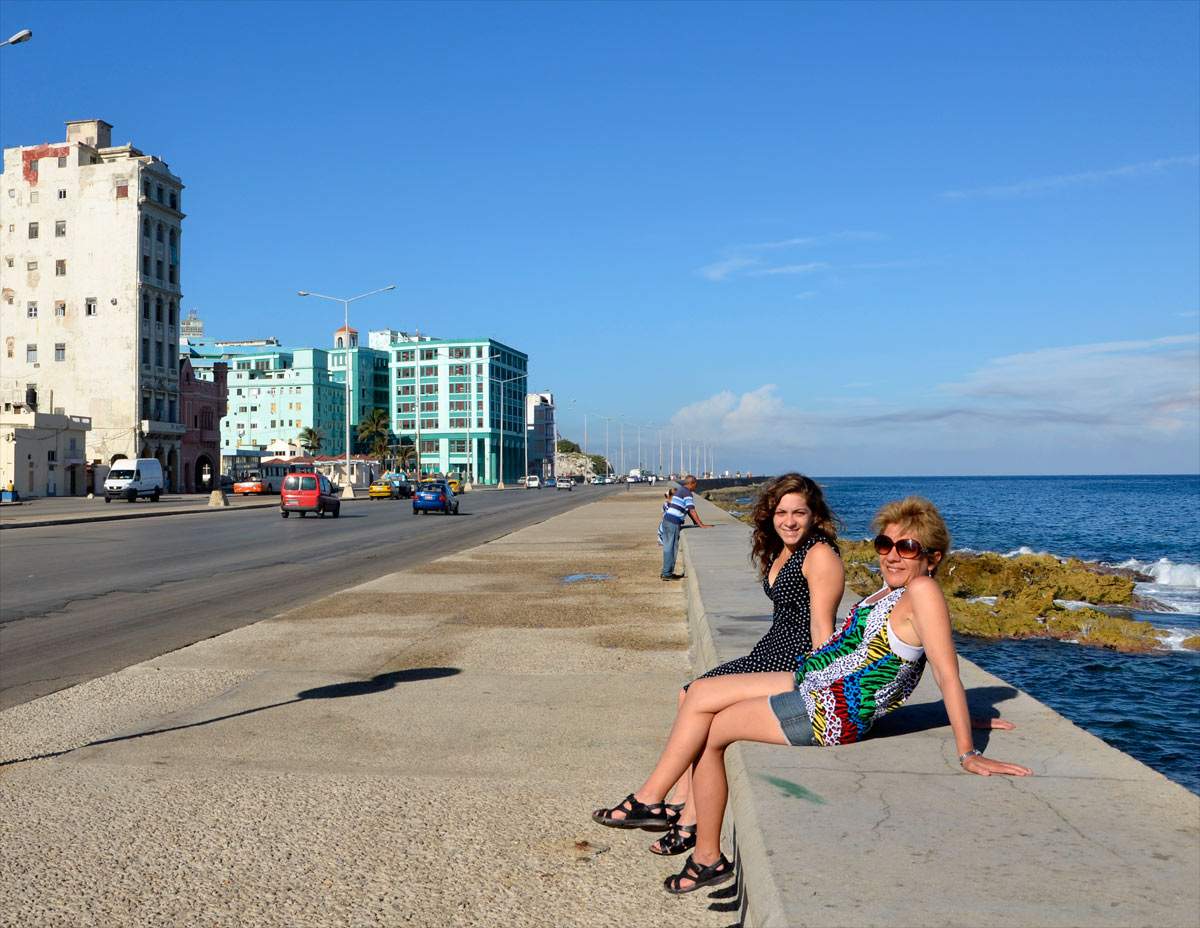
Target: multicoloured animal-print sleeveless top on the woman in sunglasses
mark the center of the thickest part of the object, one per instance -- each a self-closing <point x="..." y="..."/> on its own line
<point x="860" y="675"/>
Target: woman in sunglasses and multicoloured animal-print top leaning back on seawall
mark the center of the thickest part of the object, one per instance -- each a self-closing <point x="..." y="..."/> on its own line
<point x="871" y="667"/>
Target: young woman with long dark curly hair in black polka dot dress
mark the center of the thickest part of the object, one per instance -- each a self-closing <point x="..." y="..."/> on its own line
<point x="794" y="547"/>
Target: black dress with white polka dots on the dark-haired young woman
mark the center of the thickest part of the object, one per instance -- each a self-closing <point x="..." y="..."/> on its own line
<point x="790" y="634"/>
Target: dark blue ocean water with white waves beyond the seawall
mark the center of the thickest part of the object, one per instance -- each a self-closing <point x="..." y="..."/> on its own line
<point x="1144" y="705"/>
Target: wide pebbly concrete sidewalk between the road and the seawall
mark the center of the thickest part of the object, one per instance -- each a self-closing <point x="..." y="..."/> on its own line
<point x="425" y="750"/>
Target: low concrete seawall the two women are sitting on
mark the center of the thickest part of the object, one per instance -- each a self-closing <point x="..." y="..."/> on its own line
<point x="893" y="833"/>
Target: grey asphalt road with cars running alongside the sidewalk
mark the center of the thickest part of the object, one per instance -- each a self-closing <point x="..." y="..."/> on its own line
<point x="83" y="601"/>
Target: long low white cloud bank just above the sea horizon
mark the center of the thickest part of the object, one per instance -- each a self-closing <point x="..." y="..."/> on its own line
<point x="1113" y="408"/>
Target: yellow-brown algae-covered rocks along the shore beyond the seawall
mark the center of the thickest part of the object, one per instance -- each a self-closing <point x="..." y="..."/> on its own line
<point x="1024" y="597"/>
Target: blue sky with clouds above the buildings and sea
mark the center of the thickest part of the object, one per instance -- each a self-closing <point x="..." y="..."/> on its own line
<point x="839" y="238"/>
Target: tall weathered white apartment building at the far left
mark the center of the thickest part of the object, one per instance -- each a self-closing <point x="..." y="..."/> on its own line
<point x="91" y="241"/>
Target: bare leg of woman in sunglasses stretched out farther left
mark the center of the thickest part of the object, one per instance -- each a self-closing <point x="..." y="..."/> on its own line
<point x="705" y="699"/>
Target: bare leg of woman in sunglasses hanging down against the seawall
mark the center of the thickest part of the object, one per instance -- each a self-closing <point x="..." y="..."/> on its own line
<point x="748" y="721"/>
